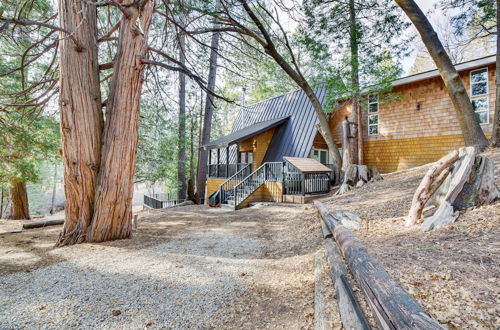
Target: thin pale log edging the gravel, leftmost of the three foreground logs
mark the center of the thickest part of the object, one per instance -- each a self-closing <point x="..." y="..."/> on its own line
<point x="321" y="319"/>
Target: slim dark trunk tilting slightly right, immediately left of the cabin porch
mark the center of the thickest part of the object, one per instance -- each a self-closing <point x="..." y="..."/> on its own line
<point x="207" y="117"/>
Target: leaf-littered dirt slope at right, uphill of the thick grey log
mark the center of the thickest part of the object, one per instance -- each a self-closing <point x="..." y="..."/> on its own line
<point x="452" y="271"/>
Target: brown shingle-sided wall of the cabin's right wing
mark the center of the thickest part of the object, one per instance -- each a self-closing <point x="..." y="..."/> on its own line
<point x="409" y="137"/>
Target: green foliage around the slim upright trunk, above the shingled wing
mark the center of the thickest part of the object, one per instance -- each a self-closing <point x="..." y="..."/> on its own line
<point x="329" y="37"/>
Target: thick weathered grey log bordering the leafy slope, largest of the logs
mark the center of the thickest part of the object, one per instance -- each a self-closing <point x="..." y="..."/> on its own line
<point x="391" y="305"/>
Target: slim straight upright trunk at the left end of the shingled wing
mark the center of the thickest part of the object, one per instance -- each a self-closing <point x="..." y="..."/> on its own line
<point x="353" y="42"/>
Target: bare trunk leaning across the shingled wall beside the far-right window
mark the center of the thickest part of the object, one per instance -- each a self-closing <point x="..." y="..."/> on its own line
<point x="471" y="130"/>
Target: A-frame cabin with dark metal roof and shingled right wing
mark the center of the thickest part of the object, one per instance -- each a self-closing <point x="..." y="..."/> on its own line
<point x="275" y="152"/>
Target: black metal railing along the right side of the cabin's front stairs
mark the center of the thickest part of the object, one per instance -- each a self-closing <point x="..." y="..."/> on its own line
<point x="267" y="172"/>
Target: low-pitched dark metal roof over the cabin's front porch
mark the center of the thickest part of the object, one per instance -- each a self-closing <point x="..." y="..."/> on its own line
<point x="245" y="133"/>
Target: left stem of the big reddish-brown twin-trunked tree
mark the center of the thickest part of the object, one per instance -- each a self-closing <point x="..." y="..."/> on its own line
<point x="81" y="116"/>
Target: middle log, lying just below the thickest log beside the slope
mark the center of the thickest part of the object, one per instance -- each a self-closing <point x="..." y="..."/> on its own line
<point x="351" y="313"/>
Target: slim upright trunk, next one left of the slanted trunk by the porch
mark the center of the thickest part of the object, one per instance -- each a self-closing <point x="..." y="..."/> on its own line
<point x="181" y="165"/>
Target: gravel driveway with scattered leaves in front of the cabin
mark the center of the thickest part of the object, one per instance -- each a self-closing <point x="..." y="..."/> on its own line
<point x="188" y="267"/>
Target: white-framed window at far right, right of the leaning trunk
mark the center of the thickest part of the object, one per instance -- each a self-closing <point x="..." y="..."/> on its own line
<point x="479" y="94"/>
